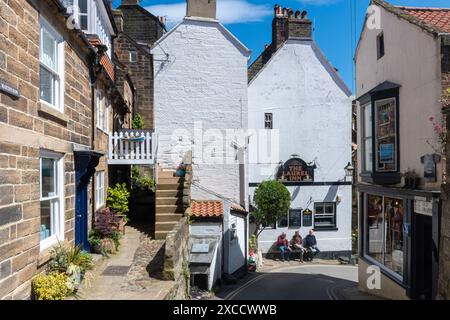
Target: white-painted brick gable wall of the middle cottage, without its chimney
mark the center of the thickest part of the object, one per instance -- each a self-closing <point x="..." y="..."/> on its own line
<point x="203" y="78"/>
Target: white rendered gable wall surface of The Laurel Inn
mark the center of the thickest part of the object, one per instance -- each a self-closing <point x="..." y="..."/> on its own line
<point x="312" y="110"/>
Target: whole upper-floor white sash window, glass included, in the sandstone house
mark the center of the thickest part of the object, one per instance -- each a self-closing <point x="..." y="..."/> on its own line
<point x="51" y="78"/>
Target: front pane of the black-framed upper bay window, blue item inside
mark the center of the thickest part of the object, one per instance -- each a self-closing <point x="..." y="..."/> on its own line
<point x="386" y="135"/>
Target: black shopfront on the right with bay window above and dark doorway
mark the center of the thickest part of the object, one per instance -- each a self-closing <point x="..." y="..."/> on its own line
<point x="398" y="222"/>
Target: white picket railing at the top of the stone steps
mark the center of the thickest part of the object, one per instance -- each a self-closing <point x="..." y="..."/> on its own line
<point x="128" y="148"/>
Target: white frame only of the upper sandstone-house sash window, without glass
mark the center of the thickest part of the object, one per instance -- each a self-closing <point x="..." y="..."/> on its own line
<point x="58" y="90"/>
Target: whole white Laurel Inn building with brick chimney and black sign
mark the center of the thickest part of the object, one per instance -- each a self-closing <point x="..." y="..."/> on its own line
<point x="294" y="92"/>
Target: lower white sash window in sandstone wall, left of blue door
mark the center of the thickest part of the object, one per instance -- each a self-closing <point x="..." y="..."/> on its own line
<point x="51" y="198"/>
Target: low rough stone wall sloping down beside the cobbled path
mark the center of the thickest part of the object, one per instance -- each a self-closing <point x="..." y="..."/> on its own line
<point x="176" y="260"/>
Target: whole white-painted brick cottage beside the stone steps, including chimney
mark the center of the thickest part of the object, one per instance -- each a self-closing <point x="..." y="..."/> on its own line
<point x="200" y="95"/>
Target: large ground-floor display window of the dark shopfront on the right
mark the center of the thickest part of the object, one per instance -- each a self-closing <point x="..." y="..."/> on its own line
<point x="384" y="227"/>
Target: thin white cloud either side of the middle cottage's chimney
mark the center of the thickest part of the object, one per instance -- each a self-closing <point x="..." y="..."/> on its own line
<point x="228" y="11"/>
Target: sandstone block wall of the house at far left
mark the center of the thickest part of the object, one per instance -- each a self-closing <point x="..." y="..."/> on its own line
<point x="26" y="127"/>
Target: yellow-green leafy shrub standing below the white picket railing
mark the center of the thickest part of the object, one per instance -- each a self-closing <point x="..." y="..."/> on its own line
<point x="117" y="201"/>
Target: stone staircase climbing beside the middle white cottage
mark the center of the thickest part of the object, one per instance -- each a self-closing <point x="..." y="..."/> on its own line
<point x="169" y="203"/>
